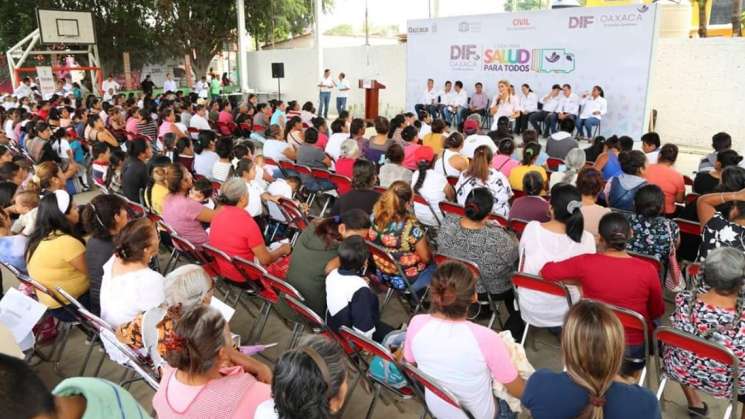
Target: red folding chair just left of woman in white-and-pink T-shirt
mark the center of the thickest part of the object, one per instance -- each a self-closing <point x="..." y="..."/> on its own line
<point x="364" y="344"/>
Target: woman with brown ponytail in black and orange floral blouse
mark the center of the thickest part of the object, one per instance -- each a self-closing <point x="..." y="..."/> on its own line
<point x="398" y="231"/>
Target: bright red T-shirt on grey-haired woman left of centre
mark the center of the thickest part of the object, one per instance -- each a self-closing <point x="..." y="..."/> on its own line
<point x="235" y="232"/>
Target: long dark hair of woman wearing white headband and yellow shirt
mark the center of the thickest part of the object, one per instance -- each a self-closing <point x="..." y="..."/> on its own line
<point x="50" y="221"/>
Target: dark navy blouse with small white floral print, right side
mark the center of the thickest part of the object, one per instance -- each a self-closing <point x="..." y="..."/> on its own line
<point x="653" y="236"/>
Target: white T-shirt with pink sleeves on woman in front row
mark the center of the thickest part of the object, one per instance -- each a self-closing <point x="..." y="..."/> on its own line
<point x="462" y="356"/>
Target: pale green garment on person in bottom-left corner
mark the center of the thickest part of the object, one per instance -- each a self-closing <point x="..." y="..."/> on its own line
<point x="103" y="398"/>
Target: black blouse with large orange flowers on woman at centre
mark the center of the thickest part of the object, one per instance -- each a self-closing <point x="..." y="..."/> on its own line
<point x="399" y="238"/>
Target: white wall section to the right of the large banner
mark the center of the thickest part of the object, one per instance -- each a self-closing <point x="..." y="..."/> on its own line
<point x="697" y="89"/>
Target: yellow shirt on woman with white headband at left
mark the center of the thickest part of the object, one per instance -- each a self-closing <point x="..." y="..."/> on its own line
<point x="50" y="265"/>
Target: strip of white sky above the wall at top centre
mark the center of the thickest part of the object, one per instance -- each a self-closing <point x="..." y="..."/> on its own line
<point x="396" y="12"/>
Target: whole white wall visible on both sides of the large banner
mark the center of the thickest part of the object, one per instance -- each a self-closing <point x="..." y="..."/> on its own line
<point x="698" y="85"/>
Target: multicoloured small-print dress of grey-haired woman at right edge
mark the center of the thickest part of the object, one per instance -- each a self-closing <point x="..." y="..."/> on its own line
<point x="712" y="323"/>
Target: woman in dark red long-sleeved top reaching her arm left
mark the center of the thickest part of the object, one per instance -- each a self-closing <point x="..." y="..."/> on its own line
<point x="614" y="277"/>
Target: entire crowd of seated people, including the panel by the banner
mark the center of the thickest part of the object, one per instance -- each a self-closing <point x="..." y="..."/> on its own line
<point x="420" y="187"/>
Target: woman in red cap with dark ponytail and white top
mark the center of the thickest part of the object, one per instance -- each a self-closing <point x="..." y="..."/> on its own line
<point x="432" y="185"/>
